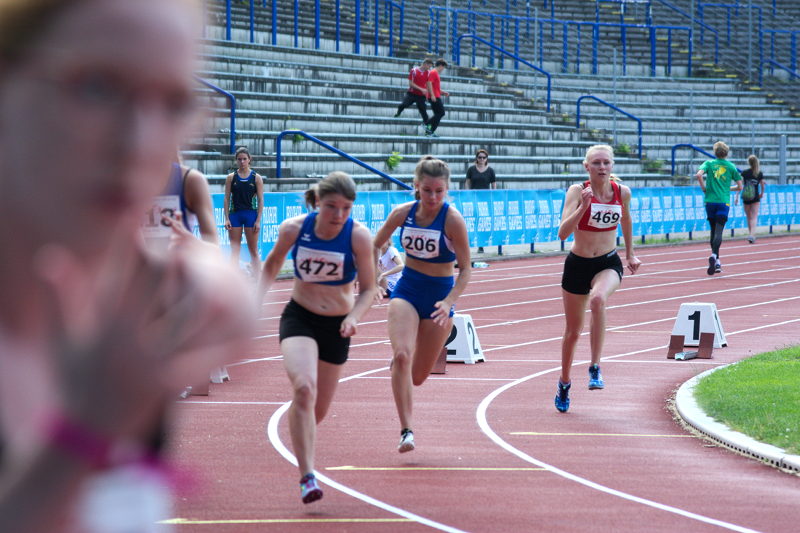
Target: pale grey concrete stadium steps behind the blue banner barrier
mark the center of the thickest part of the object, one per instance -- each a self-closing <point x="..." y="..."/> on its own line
<point x="348" y="100"/>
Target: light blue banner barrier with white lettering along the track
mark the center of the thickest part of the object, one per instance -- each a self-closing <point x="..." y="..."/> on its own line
<point x="502" y="217"/>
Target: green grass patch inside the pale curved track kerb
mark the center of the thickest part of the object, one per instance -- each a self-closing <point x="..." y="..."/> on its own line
<point x="759" y="397"/>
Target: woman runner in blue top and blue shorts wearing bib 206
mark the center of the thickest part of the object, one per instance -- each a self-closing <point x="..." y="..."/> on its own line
<point x="434" y="236"/>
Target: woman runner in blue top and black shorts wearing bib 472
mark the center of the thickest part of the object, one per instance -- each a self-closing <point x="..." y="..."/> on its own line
<point x="329" y="250"/>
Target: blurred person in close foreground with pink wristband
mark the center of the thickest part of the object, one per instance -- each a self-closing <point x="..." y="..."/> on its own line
<point x="96" y="335"/>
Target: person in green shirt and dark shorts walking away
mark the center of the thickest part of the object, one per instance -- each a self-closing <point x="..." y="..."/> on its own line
<point x="715" y="177"/>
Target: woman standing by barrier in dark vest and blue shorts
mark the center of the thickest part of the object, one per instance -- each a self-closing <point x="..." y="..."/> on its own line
<point x="244" y="203"/>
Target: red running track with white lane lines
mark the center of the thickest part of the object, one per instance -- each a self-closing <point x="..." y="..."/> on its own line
<point x="493" y="455"/>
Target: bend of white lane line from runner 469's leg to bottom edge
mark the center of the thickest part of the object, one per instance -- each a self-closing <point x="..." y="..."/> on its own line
<point x="484" y="425"/>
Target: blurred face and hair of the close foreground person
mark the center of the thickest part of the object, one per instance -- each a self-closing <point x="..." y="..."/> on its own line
<point x="91" y="115"/>
